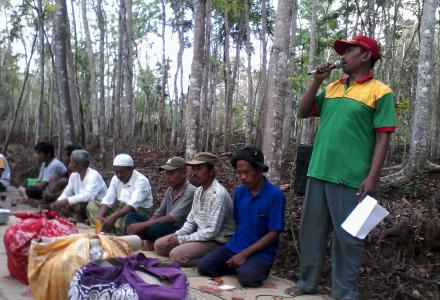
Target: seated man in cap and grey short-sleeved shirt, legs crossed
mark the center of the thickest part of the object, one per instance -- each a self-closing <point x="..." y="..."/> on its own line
<point x="173" y="210"/>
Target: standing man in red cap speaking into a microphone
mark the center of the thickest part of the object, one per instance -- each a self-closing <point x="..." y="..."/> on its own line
<point x="357" y="118"/>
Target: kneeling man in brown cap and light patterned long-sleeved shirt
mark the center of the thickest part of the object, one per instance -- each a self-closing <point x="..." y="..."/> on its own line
<point x="209" y="224"/>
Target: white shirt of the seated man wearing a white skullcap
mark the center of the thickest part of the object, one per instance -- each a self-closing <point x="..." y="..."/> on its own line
<point x="136" y="192"/>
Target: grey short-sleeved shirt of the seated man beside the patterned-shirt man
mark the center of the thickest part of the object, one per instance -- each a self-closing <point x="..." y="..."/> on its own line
<point x="179" y="206"/>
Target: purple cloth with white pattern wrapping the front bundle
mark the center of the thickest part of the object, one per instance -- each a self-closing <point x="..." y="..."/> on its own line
<point x="120" y="281"/>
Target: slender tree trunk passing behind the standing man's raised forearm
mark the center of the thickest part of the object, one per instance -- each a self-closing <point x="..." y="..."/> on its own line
<point x="308" y="124"/>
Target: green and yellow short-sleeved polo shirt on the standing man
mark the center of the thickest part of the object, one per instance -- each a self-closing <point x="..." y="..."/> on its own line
<point x="350" y="116"/>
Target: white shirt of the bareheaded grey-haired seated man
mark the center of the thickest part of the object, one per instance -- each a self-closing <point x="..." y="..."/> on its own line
<point x="92" y="187"/>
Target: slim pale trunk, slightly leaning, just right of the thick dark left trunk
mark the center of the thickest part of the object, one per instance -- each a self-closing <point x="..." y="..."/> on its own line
<point x="92" y="83"/>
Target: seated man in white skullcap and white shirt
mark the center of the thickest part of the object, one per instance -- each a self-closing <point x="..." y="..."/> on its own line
<point x="129" y="191"/>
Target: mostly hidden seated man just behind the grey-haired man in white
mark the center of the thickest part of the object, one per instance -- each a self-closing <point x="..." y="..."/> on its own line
<point x="57" y="184"/>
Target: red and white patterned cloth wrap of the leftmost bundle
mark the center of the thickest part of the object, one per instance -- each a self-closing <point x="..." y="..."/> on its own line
<point x="18" y="237"/>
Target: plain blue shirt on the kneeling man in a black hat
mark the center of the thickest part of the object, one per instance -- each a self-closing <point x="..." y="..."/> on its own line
<point x="256" y="216"/>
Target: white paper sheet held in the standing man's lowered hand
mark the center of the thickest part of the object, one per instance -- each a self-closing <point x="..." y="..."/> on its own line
<point x="366" y="215"/>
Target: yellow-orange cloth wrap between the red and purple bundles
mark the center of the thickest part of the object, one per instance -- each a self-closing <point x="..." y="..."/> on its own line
<point x="52" y="264"/>
